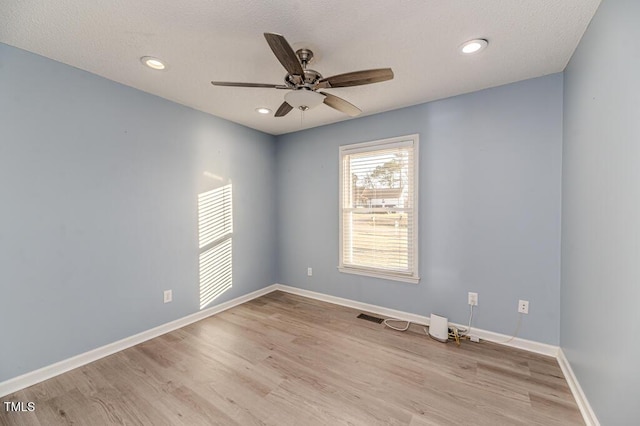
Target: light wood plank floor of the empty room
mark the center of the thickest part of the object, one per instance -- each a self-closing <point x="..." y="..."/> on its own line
<point x="283" y="359"/>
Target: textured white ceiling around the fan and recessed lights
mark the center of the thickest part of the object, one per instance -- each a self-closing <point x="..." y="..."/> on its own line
<point x="204" y="40"/>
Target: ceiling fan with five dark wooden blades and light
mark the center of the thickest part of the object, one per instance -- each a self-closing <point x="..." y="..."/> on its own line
<point x="304" y="84"/>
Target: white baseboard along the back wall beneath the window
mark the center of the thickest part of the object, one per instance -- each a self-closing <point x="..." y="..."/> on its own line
<point x="528" y="345"/>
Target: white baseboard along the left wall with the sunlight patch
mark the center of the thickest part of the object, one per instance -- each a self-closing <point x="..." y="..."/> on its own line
<point x="44" y="373"/>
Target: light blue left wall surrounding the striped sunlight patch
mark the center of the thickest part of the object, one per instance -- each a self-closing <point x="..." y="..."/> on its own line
<point x="98" y="193"/>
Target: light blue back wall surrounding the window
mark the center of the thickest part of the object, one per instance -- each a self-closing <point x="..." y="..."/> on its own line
<point x="490" y="173"/>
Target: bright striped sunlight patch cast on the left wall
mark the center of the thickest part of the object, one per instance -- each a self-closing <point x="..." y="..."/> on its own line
<point x="215" y="231"/>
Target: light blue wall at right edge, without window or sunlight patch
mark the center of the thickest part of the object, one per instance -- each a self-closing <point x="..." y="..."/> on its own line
<point x="601" y="213"/>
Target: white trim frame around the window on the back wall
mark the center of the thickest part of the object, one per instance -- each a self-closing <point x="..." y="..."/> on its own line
<point x="413" y="139"/>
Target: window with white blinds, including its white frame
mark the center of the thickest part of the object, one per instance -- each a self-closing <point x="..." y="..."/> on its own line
<point x="378" y="208"/>
